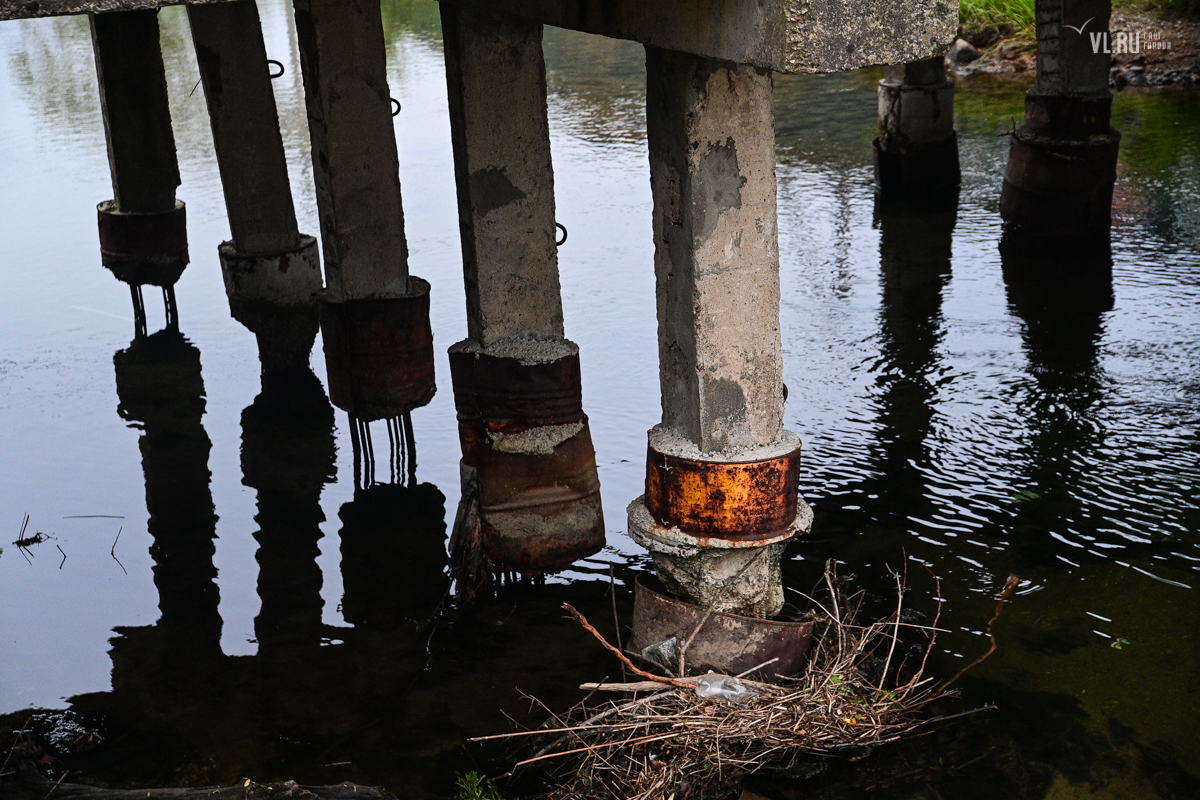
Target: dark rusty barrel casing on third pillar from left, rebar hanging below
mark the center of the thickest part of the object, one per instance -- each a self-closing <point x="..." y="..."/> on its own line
<point x="380" y="353"/>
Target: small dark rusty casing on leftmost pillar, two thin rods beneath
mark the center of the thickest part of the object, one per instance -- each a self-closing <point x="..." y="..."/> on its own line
<point x="143" y="249"/>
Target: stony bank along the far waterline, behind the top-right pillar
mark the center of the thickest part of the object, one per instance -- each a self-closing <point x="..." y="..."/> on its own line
<point x="1163" y="52"/>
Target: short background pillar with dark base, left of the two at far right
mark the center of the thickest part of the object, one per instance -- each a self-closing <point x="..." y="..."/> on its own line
<point x="917" y="151"/>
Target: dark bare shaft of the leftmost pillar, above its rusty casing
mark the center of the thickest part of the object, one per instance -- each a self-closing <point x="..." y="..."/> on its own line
<point x="137" y="112"/>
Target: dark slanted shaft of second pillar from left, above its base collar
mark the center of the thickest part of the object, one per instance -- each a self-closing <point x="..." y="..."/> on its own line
<point x="232" y="57"/>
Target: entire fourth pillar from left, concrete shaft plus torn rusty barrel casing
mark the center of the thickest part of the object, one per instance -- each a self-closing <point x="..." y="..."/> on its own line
<point x="527" y="448"/>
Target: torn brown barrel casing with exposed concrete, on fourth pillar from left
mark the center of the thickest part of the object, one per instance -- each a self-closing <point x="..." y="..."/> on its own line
<point x="525" y="435"/>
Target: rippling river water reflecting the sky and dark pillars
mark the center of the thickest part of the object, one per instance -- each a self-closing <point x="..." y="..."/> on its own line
<point x="256" y="618"/>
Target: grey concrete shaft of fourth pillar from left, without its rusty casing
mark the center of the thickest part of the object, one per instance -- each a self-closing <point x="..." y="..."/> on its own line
<point x="505" y="175"/>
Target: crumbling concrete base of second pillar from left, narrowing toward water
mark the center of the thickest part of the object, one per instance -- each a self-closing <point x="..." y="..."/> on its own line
<point x="274" y="296"/>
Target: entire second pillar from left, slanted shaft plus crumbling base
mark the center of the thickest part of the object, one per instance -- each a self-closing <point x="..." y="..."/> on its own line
<point x="272" y="270"/>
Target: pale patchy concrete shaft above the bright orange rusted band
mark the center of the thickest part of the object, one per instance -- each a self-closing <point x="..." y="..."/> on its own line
<point x="711" y="135"/>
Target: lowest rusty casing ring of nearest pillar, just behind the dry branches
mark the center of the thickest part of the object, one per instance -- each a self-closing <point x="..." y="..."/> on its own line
<point x="727" y="643"/>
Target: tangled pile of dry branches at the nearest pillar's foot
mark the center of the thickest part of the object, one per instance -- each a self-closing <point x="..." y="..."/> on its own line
<point x="673" y="743"/>
